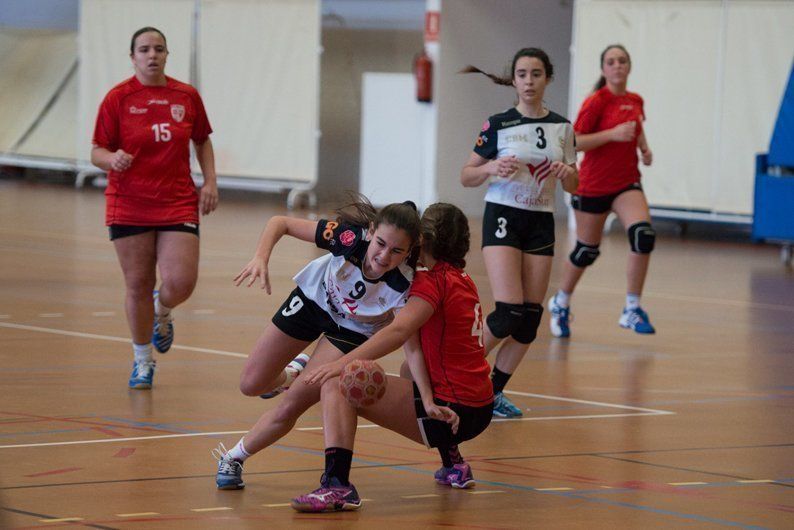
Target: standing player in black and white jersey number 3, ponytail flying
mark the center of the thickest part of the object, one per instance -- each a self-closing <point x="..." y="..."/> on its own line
<point x="522" y="153"/>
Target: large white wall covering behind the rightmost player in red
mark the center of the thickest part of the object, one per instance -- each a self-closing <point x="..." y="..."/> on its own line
<point x="712" y="74"/>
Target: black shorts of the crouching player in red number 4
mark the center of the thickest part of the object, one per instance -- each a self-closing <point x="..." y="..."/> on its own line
<point x="436" y="433"/>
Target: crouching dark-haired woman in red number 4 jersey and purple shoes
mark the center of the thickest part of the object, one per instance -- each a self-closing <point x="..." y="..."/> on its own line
<point x="451" y="397"/>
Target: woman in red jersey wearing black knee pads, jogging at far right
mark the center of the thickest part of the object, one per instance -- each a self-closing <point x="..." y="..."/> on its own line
<point x="609" y="130"/>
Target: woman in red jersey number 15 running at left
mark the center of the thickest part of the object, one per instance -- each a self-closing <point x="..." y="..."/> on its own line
<point x="142" y="139"/>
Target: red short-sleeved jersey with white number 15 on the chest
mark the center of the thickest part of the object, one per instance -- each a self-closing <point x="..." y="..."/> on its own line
<point x="154" y="124"/>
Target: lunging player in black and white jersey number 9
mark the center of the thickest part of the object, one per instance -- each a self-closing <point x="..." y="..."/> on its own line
<point x="342" y="298"/>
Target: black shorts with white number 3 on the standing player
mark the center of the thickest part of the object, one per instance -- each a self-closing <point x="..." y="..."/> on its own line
<point x="527" y="230"/>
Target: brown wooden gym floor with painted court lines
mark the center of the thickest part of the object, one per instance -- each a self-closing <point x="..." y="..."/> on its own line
<point x="689" y="428"/>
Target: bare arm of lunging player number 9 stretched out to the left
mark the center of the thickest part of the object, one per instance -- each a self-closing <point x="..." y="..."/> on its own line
<point x="277" y="227"/>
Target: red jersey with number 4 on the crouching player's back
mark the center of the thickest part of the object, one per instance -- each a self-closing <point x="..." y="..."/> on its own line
<point x="452" y="338"/>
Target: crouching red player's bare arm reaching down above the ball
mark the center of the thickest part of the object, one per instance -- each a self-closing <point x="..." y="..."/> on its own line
<point x="407" y="322"/>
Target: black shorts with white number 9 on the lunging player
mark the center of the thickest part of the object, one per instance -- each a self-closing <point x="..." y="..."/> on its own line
<point x="302" y="319"/>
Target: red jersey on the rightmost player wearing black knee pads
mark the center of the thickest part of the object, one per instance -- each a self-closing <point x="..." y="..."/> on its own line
<point x="613" y="166"/>
